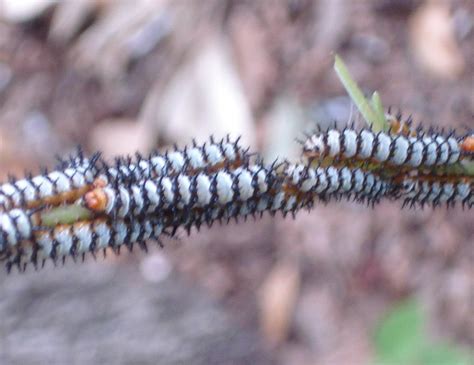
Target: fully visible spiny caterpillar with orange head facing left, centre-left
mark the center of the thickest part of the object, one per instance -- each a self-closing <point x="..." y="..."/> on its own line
<point x="179" y="192"/>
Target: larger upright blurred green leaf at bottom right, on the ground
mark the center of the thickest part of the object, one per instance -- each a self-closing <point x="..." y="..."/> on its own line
<point x="400" y="336"/>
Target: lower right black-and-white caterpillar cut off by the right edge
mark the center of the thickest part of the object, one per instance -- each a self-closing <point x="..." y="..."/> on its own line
<point x="423" y="190"/>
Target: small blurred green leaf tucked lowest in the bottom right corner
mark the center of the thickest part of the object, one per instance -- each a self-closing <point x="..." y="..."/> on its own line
<point x="442" y="354"/>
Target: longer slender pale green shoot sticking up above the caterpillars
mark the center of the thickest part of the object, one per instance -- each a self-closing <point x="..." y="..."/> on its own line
<point x="357" y="96"/>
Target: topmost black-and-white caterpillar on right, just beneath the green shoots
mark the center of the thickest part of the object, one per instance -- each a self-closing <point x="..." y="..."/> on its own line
<point x="426" y="150"/>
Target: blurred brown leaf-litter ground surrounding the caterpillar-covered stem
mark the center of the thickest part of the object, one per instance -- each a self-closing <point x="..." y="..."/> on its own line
<point x="342" y="284"/>
